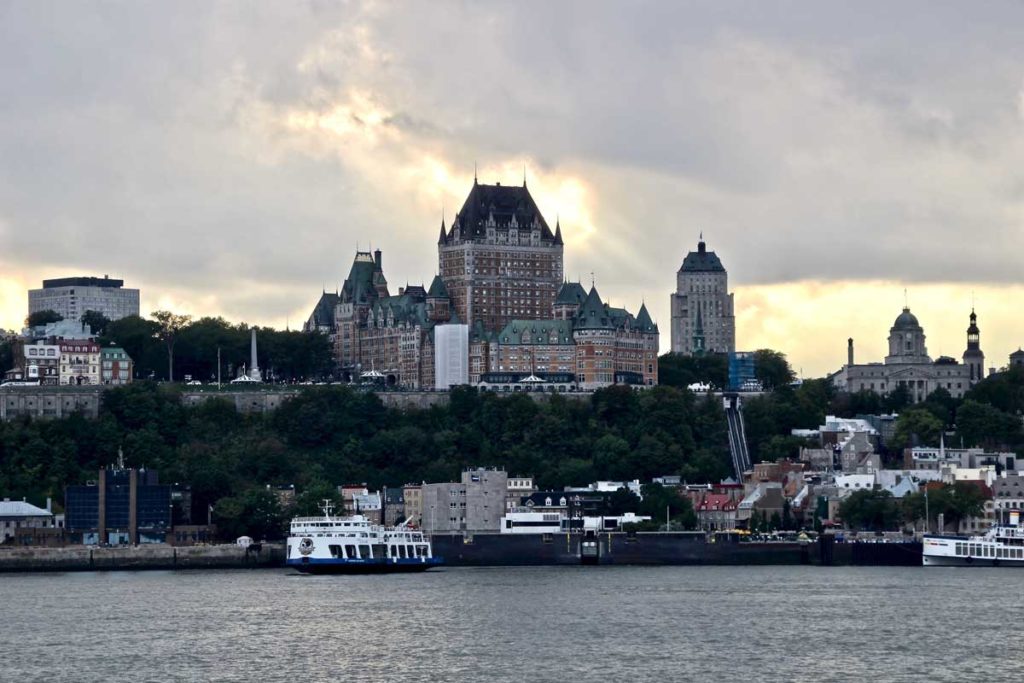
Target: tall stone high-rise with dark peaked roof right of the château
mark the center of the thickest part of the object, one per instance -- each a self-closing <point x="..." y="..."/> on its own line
<point x="703" y="318"/>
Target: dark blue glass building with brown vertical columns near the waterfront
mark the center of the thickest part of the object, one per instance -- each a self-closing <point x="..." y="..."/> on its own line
<point x="122" y="506"/>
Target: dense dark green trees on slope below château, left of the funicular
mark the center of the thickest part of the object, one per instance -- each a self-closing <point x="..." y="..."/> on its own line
<point x="332" y="435"/>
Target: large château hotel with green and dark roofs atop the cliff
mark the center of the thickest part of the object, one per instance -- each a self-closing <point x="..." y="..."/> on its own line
<point x="499" y="315"/>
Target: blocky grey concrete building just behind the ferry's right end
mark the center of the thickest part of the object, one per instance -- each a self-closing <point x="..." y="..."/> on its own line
<point x="473" y="505"/>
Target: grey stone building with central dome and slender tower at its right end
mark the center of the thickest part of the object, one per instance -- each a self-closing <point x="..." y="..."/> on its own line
<point x="909" y="367"/>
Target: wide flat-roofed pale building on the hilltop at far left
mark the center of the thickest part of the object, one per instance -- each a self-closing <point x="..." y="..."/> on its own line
<point x="71" y="297"/>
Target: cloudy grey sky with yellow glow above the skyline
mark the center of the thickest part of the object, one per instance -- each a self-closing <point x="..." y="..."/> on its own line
<point x="229" y="158"/>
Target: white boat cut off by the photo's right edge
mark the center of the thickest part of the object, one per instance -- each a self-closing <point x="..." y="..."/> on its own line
<point x="1001" y="546"/>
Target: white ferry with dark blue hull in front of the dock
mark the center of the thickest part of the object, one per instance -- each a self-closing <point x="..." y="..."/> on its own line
<point x="352" y="545"/>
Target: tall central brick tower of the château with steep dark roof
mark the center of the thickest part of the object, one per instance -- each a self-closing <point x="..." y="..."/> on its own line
<point x="500" y="262"/>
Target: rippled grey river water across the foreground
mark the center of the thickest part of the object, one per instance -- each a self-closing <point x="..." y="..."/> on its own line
<point x="539" y="624"/>
